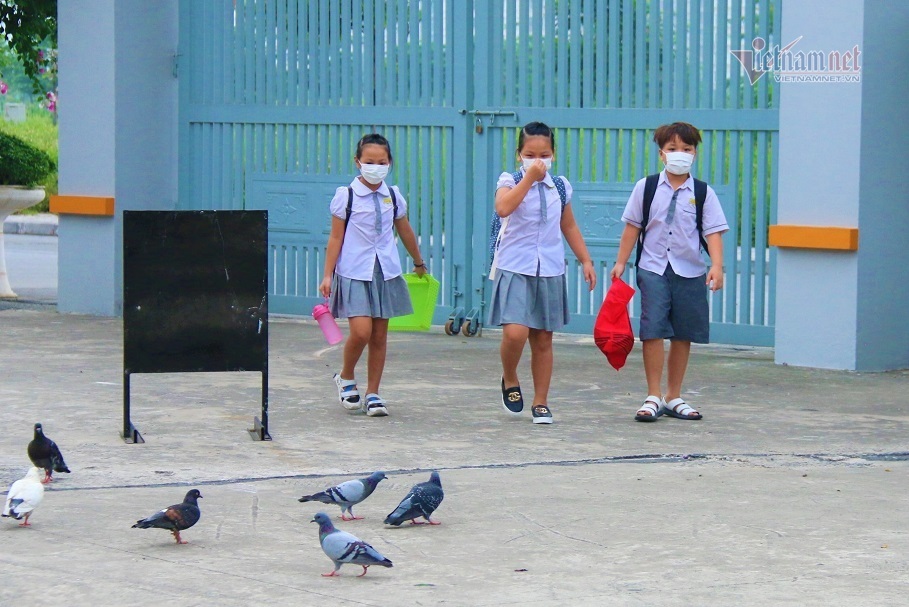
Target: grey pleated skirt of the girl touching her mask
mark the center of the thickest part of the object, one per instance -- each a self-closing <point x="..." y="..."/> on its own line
<point x="538" y="302"/>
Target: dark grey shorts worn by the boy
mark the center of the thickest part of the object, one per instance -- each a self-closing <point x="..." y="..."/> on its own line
<point x="673" y="307"/>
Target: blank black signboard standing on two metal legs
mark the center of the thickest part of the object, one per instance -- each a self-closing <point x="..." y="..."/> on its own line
<point x="195" y="297"/>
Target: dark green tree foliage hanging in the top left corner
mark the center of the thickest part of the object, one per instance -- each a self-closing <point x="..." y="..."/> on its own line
<point x="29" y="28"/>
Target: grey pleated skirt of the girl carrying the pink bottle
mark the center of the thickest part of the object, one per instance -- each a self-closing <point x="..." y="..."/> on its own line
<point x="377" y="298"/>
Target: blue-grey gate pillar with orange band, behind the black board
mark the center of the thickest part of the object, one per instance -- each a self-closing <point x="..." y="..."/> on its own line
<point x="118" y="138"/>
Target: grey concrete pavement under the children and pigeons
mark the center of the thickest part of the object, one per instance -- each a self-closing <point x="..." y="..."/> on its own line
<point x="790" y="491"/>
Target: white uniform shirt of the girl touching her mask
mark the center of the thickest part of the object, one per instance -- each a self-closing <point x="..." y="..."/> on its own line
<point x="529" y="246"/>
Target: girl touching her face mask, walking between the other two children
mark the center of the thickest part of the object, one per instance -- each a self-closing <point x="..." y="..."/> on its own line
<point x="529" y="296"/>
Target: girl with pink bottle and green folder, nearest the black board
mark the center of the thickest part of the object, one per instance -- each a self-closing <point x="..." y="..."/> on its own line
<point x="363" y="271"/>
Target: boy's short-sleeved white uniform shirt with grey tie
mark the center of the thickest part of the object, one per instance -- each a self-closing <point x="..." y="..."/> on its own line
<point x="677" y="243"/>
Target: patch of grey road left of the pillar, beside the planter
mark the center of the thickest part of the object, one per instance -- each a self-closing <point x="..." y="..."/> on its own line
<point x="31" y="262"/>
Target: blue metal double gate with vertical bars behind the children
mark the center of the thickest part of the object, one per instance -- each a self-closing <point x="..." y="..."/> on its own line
<point x="275" y="94"/>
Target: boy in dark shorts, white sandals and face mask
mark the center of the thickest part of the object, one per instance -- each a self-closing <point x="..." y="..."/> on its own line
<point x="672" y="277"/>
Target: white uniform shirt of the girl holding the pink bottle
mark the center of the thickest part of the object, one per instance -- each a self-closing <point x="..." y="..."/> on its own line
<point x="361" y="242"/>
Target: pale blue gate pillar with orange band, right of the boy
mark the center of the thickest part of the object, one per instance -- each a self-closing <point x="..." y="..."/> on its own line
<point x="843" y="213"/>
